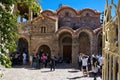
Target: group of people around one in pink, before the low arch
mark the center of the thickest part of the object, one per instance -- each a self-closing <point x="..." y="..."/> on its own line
<point x="44" y="60"/>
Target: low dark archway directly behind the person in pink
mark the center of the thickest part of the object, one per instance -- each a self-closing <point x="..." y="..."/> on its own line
<point x="44" y="49"/>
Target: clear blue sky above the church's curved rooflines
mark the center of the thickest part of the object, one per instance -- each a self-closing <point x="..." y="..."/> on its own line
<point x="77" y="4"/>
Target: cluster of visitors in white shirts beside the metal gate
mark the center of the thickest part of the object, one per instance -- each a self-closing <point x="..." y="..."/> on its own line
<point x="90" y="64"/>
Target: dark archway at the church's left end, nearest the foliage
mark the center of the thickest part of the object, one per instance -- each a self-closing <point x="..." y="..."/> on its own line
<point x="22" y="45"/>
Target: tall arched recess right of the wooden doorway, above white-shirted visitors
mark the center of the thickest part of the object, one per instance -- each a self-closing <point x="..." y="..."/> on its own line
<point x="84" y="43"/>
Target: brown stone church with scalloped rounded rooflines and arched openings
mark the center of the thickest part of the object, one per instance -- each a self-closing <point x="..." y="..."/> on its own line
<point x="63" y="33"/>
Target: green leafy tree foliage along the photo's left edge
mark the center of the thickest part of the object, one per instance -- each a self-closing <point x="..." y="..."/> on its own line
<point x="9" y="27"/>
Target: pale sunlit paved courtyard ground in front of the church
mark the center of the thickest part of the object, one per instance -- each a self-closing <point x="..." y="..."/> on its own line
<point x="63" y="72"/>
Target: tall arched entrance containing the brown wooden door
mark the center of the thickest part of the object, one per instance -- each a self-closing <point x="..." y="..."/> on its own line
<point x="66" y="47"/>
